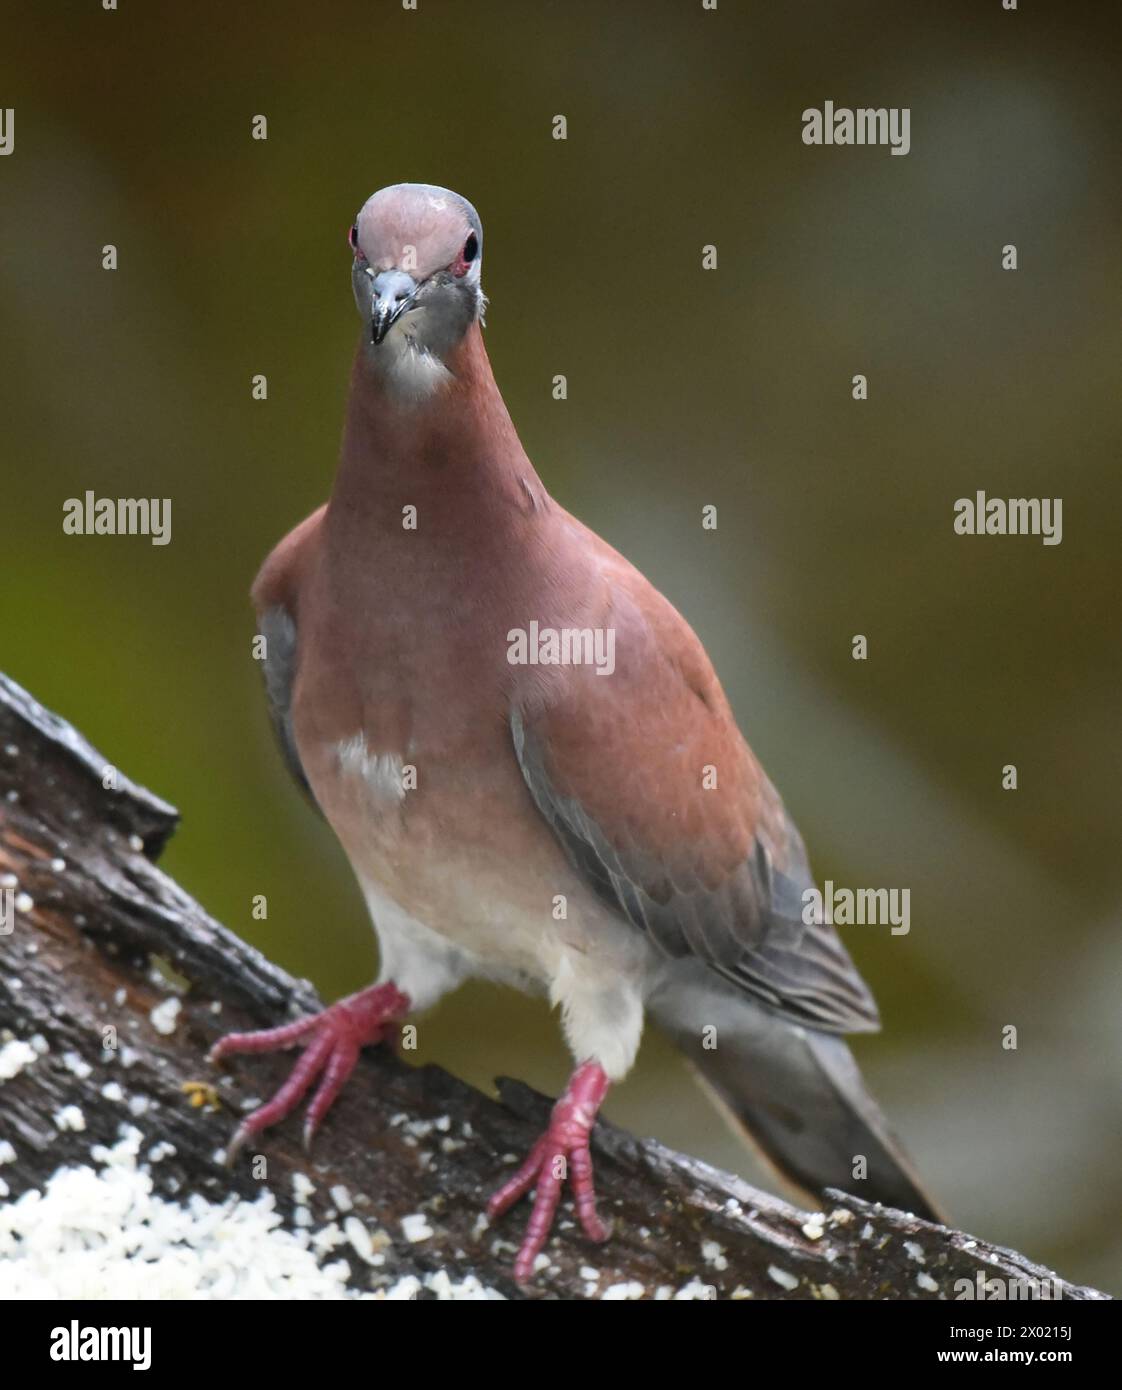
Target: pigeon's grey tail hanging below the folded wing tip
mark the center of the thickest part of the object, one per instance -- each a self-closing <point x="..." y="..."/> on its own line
<point x="797" y="1096"/>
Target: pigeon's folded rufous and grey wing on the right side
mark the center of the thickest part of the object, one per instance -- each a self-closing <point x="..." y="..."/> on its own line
<point x="657" y="799"/>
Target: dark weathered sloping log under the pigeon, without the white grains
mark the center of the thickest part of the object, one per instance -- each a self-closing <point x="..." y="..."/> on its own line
<point x="106" y="938"/>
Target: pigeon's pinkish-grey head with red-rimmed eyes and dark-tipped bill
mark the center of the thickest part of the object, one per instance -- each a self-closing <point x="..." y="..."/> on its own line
<point x="416" y="275"/>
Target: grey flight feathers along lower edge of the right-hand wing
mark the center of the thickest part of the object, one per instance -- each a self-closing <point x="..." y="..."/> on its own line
<point x="750" y="931"/>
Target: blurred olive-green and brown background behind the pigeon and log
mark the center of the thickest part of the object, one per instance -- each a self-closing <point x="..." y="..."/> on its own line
<point x="685" y="389"/>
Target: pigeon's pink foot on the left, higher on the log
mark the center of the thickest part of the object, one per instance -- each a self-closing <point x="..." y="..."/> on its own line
<point x="333" y="1042"/>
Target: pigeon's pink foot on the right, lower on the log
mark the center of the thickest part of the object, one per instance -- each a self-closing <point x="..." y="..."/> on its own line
<point x="561" y="1153"/>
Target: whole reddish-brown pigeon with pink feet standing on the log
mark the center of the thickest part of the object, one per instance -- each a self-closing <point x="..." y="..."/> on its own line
<point x="533" y="767"/>
